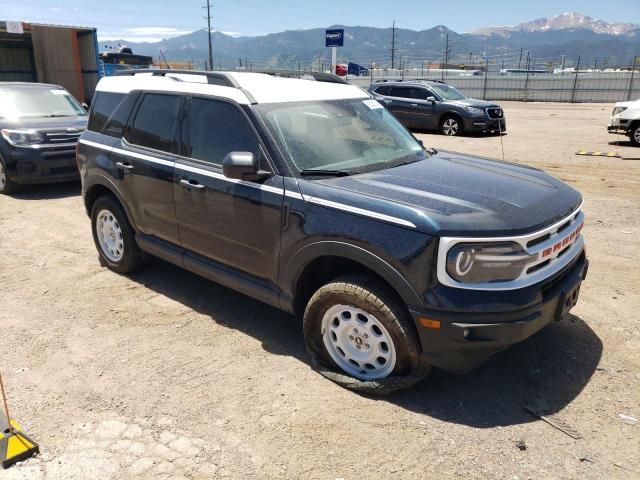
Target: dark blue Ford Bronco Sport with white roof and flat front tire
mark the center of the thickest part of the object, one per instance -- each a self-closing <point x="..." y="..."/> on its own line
<point x="311" y="197"/>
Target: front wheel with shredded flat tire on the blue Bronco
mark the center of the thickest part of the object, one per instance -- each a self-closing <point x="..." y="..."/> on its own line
<point x="360" y="336"/>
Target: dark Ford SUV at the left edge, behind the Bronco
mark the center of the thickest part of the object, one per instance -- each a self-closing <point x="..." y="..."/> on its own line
<point x="39" y="129"/>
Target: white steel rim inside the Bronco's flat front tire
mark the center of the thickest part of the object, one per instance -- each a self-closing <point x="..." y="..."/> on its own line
<point x="358" y="342"/>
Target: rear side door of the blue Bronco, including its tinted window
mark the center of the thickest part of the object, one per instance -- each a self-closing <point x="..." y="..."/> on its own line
<point x="145" y="162"/>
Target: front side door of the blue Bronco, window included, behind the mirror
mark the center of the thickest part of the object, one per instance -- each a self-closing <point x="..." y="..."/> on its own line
<point x="232" y="223"/>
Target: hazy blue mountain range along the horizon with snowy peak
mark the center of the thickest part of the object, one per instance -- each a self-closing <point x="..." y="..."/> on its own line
<point x="547" y="40"/>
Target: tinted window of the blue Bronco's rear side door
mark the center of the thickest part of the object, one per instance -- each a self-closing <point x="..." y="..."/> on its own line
<point x="154" y="122"/>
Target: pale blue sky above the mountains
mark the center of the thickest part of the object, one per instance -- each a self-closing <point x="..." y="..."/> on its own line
<point x="152" y="20"/>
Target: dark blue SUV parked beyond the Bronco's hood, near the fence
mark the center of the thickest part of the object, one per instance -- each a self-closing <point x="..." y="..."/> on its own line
<point x="434" y="105"/>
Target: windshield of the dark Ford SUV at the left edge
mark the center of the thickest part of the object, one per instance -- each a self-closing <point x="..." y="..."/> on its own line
<point x="30" y="102"/>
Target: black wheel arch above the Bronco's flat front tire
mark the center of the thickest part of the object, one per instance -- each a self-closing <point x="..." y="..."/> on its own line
<point x="320" y="262"/>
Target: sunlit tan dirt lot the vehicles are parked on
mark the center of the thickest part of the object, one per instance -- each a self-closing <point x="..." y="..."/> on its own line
<point x="166" y="375"/>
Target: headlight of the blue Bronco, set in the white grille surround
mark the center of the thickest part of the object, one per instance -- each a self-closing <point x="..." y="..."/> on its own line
<point x="483" y="263"/>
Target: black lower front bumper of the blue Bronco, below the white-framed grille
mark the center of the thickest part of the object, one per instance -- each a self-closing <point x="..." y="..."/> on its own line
<point x="449" y="349"/>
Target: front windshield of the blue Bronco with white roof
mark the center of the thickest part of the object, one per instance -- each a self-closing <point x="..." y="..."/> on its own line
<point x="352" y="136"/>
